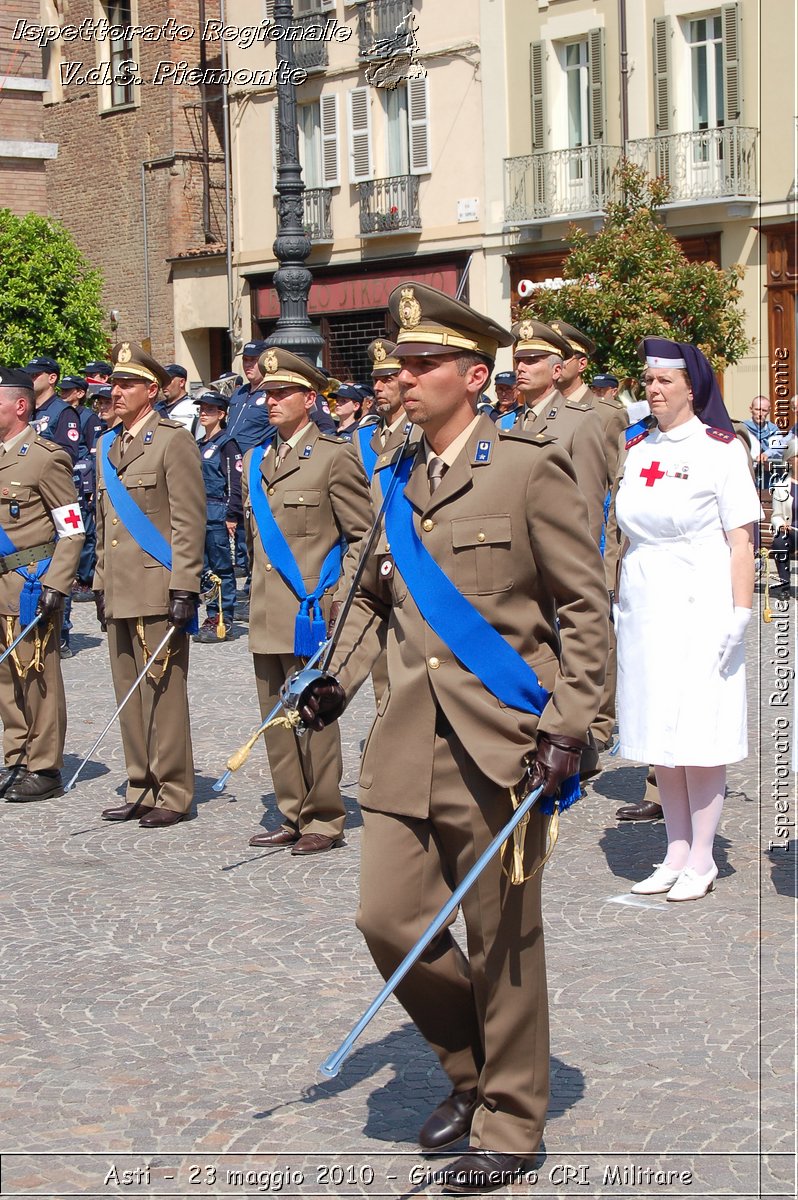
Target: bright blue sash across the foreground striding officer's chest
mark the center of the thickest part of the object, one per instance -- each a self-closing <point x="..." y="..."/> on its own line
<point x="470" y="637"/>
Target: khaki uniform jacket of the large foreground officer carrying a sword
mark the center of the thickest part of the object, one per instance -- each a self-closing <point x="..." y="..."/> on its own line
<point x="512" y="535"/>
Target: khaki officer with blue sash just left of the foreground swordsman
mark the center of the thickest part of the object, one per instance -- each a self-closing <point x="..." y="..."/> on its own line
<point x="307" y="508"/>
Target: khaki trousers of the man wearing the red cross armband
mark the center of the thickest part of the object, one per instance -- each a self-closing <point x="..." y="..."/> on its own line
<point x="33" y="710"/>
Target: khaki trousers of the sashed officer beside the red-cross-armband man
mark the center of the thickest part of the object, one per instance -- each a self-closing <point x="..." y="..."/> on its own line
<point x="157" y="735"/>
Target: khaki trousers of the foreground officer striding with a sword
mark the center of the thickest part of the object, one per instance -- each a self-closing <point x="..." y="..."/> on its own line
<point x="487" y="1016"/>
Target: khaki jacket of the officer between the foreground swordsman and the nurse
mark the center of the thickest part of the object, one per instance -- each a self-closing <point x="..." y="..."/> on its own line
<point x="578" y="430"/>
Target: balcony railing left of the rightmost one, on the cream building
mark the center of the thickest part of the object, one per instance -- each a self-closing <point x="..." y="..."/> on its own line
<point x="553" y="184"/>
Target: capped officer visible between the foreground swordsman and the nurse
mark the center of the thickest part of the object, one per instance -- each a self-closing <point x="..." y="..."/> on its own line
<point x="541" y="356"/>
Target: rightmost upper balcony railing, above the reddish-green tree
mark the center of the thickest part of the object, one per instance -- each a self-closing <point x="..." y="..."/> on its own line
<point x="703" y="165"/>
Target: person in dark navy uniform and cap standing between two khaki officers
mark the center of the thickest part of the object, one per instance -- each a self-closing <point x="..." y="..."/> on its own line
<point x="221" y="463"/>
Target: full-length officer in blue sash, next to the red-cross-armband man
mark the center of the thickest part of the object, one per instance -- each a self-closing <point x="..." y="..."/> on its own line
<point x="151" y="541"/>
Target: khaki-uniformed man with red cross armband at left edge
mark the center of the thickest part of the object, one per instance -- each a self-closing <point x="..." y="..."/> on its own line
<point x="41" y="535"/>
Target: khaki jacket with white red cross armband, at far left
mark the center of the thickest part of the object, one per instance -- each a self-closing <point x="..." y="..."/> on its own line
<point x="38" y="481"/>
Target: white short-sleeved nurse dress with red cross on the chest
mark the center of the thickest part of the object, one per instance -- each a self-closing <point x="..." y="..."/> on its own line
<point x="680" y="491"/>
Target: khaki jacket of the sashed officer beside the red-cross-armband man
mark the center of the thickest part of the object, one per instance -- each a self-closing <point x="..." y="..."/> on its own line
<point x="163" y="475"/>
